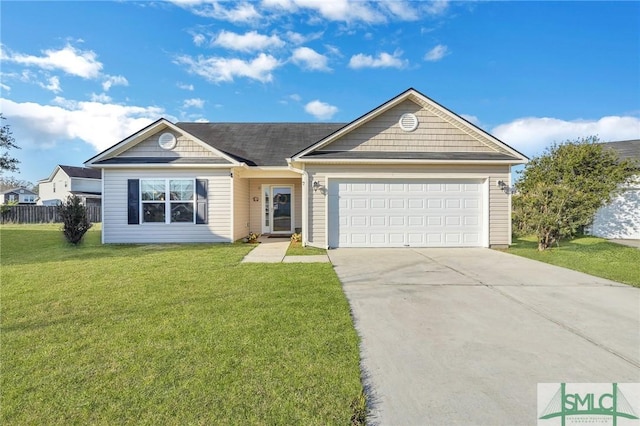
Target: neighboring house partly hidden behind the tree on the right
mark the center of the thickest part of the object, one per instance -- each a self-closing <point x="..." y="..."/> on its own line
<point x="621" y="217"/>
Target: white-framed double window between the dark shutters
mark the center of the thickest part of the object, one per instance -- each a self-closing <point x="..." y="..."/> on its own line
<point x="168" y="200"/>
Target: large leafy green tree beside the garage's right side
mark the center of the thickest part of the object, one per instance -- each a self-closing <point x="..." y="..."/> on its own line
<point x="560" y="191"/>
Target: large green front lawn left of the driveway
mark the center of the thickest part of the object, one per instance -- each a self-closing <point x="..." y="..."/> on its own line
<point x="169" y="334"/>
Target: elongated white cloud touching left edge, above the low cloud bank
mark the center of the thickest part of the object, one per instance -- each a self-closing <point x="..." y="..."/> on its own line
<point x="68" y="59"/>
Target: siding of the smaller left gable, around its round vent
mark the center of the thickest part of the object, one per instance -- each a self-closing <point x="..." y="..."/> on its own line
<point x="184" y="148"/>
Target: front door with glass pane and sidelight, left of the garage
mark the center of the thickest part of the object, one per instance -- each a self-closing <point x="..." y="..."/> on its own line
<point x="278" y="209"/>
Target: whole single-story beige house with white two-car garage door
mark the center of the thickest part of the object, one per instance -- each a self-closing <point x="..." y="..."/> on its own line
<point x="408" y="173"/>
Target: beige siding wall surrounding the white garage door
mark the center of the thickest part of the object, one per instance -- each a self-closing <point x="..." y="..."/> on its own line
<point x="499" y="215"/>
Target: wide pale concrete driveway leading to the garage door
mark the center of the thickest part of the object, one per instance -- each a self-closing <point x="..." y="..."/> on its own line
<point x="463" y="336"/>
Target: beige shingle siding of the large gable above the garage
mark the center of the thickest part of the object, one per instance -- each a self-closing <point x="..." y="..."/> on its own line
<point x="434" y="134"/>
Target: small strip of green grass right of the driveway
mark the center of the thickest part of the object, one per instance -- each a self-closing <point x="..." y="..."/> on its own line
<point x="591" y="255"/>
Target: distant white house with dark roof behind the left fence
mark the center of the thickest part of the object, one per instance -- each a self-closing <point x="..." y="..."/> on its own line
<point x="69" y="180"/>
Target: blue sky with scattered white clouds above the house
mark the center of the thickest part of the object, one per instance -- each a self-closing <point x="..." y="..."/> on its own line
<point x="77" y="77"/>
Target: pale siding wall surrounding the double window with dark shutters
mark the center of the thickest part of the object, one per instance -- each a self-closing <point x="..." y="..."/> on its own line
<point x="116" y="229"/>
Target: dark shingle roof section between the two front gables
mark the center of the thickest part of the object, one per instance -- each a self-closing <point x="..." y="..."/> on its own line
<point x="261" y="144"/>
